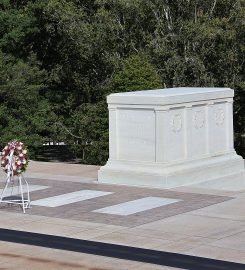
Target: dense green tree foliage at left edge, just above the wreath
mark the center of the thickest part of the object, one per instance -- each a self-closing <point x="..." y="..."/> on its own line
<point x="23" y="111"/>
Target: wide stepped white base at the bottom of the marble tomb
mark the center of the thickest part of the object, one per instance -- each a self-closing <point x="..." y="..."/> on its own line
<point x="208" y="170"/>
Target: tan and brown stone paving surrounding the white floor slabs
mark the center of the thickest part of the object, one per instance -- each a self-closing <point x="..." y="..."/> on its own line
<point x="203" y="222"/>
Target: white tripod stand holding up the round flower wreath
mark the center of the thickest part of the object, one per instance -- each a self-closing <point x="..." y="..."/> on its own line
<point x="10" y="180"/>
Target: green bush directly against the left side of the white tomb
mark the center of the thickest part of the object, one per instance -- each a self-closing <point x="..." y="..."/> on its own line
<point x="90" y="133"/>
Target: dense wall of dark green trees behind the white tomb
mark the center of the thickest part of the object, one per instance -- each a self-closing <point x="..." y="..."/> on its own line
<point x="59" y="59"/>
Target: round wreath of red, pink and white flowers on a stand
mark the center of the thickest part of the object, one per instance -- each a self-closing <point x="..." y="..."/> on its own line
<point x="16" y="153"/>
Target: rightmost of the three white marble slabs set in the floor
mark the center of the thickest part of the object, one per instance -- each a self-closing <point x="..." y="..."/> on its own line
<point x="136" y="206"/>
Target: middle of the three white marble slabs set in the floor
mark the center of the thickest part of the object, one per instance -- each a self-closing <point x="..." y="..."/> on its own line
<point x="68" y="198"/>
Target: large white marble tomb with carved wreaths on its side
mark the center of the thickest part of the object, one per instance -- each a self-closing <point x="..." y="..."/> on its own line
<point x="171" y="137"/>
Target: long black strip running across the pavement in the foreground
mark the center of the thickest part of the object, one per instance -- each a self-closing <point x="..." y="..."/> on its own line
<point x="117" y="251"/>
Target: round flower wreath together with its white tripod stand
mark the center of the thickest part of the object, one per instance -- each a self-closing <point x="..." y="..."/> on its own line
<point x="14" y="161"/>
